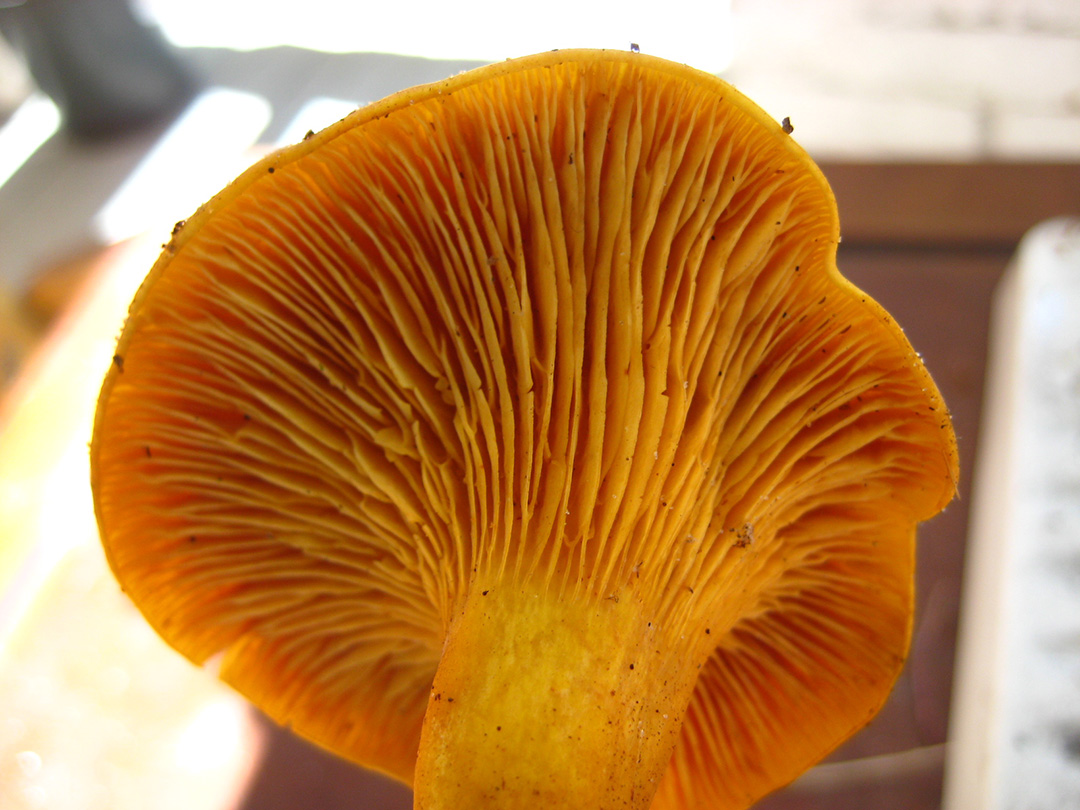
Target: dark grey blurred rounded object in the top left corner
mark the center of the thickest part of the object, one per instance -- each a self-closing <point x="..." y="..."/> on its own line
<point x="107" y="72"/>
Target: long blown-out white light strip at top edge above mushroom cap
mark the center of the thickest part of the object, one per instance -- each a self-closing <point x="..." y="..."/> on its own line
<point x="694" y="32"/>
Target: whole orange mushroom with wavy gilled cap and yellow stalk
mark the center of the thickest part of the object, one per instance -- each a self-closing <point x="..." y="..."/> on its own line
<point x="517" y="437"/>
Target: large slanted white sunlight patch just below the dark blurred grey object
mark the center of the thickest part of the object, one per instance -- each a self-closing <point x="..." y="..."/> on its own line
<point x="208" y="147"/>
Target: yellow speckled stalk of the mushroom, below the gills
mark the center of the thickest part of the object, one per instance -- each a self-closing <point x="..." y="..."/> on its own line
<point x="545" y="703"/>
